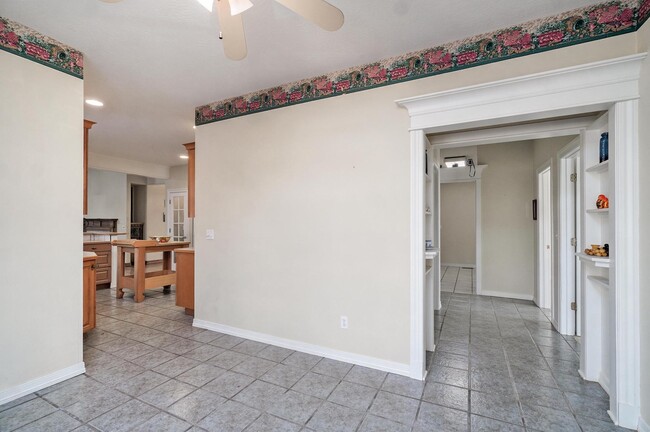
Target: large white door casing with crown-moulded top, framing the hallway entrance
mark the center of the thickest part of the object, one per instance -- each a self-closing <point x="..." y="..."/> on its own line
<point x="610" y="85"/>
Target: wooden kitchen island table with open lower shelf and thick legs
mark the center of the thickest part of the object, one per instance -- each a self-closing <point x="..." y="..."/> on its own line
<point x="141" y="280"/>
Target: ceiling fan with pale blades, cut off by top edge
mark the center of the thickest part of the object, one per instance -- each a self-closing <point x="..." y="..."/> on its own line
<point x="320" y="12"/>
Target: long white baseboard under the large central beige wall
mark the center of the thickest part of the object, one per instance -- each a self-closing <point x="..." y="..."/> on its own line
<point x="358" y="359"/>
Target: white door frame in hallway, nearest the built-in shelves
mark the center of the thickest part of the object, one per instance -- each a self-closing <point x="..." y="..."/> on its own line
<point x="569" y="266"/>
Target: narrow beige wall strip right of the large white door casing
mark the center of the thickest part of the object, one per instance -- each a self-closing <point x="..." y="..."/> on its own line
<point x="644" y="227"/>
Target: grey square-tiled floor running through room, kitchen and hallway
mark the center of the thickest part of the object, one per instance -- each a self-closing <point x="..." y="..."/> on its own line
<point x="498" y="367"/>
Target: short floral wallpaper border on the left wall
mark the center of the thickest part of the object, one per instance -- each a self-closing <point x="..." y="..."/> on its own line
<point x="28" y="43"/>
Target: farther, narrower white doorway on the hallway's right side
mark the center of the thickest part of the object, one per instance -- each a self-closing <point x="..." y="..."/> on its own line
<point x="544" y="215"/>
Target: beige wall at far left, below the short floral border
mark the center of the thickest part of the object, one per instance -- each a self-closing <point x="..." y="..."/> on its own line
<point x="41" y="113"/>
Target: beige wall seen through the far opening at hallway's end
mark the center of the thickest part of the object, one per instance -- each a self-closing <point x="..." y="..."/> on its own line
<point x="458" y="223"/>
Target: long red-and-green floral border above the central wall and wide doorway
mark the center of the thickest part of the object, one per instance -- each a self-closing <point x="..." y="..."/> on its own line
<point x="577" y="26"/>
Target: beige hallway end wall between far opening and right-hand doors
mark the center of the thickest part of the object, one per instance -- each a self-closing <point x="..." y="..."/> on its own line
<point x="507" y="229"/>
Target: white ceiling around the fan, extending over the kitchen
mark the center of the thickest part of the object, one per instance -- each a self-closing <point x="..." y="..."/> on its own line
<point x="153" y="61"/>
